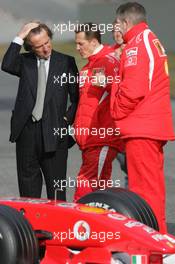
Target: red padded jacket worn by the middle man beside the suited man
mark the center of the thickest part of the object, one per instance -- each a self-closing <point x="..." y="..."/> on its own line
<point x="93" y="124"/>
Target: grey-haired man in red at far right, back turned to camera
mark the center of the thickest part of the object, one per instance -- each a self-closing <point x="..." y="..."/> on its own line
<point x="140" y="105"/>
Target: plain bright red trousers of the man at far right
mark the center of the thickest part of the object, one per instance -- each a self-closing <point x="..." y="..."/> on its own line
<point x="146" y="176"/>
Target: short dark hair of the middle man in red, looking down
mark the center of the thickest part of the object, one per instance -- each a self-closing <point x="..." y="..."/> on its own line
<point x="90" y="29"/>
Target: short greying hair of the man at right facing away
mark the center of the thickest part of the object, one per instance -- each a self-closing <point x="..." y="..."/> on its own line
<point x="132" y="10"/>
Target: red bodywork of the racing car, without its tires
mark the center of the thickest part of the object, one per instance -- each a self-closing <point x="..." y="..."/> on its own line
<point x="83" y="234"/>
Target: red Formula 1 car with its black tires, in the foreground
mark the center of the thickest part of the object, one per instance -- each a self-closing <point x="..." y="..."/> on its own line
<point x="41" y="231"/>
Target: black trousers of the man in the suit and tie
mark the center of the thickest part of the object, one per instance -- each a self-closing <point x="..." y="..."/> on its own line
<point x="33" y="163"/>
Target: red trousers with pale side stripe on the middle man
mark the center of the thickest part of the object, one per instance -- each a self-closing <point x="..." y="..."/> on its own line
<point x="95" y="171"/>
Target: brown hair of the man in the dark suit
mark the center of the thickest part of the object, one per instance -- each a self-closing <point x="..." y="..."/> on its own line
<point x="35" y="31"/>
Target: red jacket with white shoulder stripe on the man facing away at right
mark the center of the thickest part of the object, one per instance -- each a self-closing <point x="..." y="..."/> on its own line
<point x="140" y="103"/>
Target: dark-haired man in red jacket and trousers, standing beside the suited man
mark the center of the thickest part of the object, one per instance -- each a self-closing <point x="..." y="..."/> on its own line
<point x="95" y="130"/>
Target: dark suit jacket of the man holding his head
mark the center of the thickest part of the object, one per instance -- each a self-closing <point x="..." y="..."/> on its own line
<point x="55" y="105"/>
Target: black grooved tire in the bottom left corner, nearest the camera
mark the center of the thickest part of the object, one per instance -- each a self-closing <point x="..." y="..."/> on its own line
<point x="18" y="243"/>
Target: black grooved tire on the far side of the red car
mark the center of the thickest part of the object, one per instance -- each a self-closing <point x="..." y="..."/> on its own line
<point x="122" y="201"/>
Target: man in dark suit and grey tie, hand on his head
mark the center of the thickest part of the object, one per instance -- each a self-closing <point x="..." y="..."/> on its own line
<point x="40" y="113"/>
